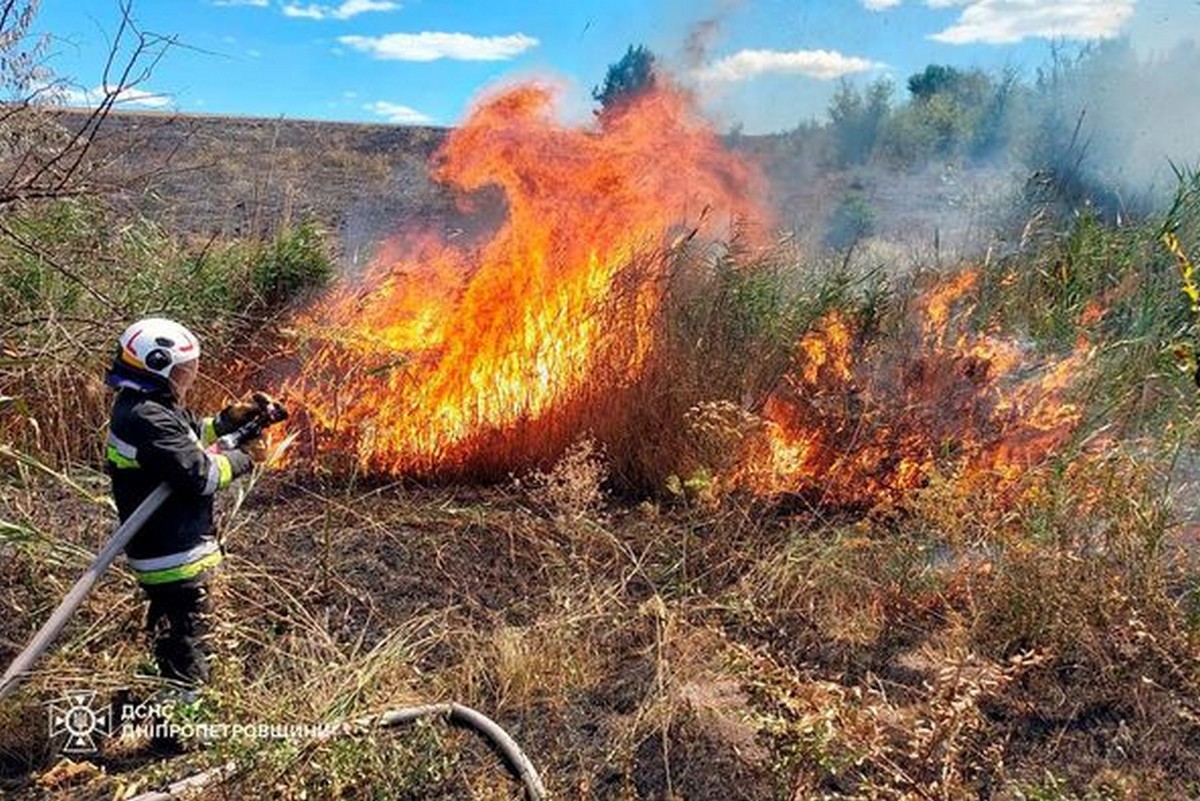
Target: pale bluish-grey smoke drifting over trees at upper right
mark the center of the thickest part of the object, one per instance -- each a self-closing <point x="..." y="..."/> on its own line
<point x="937" y="165"/>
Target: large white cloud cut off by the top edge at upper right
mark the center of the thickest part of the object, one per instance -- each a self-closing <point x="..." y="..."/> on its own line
<point x="1005" y="22"/>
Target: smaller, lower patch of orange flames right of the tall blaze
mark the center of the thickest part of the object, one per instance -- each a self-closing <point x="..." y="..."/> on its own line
<point x="881" y="423"/>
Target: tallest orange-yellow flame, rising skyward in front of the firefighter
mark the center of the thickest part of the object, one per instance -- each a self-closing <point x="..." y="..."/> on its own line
<point x="442" y="350"/>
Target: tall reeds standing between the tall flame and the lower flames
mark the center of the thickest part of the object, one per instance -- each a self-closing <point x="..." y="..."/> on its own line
<point x="725" y="334"/>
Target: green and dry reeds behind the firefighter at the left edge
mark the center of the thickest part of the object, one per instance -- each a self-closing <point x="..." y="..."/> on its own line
<point x="74" y="275"/>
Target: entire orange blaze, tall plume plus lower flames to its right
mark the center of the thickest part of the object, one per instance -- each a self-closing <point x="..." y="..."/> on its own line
<point x="452" y="358"/>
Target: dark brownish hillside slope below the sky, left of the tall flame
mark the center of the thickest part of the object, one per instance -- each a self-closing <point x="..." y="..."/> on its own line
<point x="241" y="177"/>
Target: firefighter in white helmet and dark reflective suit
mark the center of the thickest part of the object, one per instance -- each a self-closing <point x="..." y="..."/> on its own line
<point x="154" y="438"/>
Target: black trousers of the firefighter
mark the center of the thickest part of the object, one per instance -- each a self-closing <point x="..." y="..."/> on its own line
<point x="178" y="624"/>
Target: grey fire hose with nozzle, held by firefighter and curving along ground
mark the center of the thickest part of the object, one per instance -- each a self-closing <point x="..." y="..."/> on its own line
<point x="21" y="667"/>
